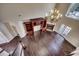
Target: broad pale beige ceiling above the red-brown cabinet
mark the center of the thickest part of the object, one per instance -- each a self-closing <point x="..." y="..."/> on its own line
<point x="26" y="10"/>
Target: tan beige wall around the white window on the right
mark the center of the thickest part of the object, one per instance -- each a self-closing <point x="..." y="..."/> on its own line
<point x="73" y="36"/>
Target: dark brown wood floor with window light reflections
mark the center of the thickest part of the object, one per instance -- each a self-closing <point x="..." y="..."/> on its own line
<point x="46" y="44"/>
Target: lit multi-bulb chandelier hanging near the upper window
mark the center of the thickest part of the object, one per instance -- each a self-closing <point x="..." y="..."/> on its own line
<point x="54" y="15"/>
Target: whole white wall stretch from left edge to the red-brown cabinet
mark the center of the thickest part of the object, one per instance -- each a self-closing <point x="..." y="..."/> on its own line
<point x="9" y="32"/>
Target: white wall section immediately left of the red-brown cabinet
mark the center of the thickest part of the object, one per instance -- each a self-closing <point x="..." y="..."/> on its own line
<point x="19" y="27"/>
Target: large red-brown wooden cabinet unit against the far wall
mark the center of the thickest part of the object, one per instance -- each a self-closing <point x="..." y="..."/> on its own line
<point x="35" y="23"/>
